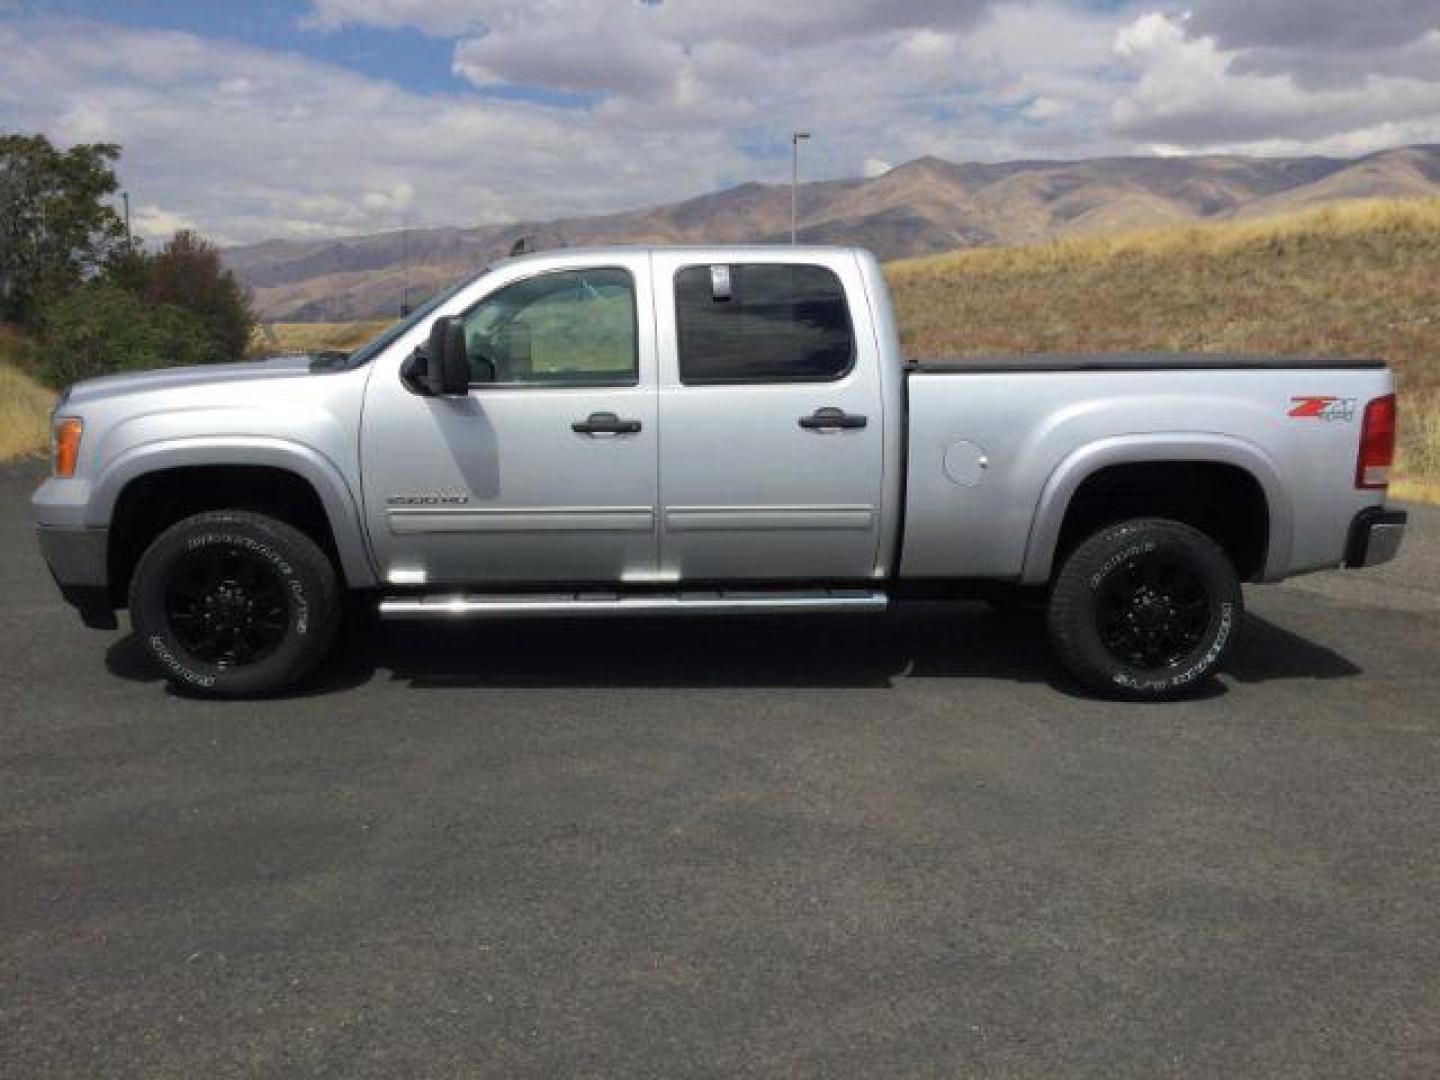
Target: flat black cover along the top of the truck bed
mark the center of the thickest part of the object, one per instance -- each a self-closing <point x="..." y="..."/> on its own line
<point x="1133" y="362"/>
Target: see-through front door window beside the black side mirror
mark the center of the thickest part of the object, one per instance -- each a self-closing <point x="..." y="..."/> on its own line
<point x="557" y="329"/>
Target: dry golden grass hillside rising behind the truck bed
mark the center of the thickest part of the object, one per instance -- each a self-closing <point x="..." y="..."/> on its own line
<point x="1353" y="280"/>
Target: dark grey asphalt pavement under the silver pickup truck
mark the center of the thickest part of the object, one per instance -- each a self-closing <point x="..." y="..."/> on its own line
<point x="804" y="847"/>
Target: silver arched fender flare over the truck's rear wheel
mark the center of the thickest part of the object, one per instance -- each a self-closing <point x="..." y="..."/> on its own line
<point x="1157" y="447"/>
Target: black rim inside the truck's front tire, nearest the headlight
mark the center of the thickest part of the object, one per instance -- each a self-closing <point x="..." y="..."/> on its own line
<point x="227" y="607"/>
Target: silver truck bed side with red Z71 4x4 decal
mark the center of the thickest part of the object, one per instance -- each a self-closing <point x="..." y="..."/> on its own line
<point x="997" y="447"/>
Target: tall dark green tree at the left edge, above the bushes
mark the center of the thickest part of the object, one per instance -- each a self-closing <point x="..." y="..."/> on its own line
<point x="55" y="225"/>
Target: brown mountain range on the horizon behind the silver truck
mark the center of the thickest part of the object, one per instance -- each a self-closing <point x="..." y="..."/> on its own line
<point x="919" y="208"/>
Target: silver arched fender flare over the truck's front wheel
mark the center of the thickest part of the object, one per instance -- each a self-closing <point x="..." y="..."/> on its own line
<point x="305" y="462"/>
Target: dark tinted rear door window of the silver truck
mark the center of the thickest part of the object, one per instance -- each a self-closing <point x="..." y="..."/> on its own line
<point x="778" y="325"/>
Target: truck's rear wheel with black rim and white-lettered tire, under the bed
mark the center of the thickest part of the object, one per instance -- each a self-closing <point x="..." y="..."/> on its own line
<point x="1146" y="610"/>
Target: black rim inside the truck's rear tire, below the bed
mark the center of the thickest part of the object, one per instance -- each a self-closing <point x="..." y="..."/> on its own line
<point x="1153" y="611"/>
